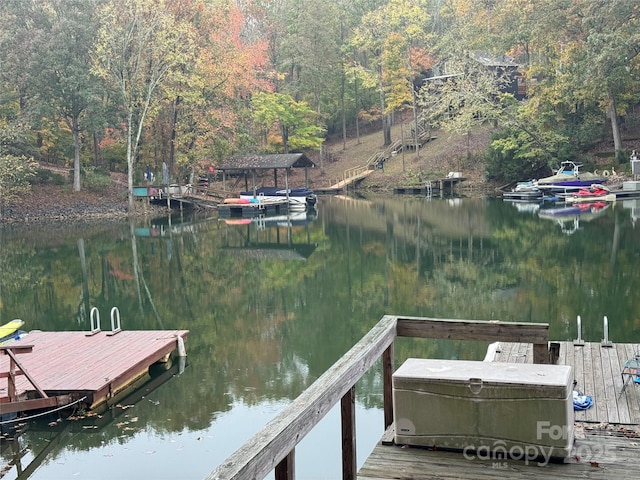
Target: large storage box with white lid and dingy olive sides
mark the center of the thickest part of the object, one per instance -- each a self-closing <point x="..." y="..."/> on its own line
<point x="484" y="407"/>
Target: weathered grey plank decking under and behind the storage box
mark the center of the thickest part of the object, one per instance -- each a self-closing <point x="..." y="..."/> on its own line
<point x="607" y="443"/>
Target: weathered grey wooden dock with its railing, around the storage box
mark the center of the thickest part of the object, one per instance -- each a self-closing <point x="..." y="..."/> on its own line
<point x="601" y="448"/>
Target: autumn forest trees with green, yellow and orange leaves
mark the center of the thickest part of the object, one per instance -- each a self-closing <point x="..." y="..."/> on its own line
<point x="121" y="84"/>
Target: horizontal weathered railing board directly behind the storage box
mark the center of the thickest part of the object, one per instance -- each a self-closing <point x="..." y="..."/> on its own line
<point x="490" y="331"/>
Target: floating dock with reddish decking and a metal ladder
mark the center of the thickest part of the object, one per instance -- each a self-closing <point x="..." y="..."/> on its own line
<point x="50" y="369"/>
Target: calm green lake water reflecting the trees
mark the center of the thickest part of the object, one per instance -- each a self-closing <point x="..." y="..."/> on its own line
<point x="270" y="306"/>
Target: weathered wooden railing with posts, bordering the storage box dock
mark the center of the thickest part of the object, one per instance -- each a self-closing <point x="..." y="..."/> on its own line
<point x="273" y="447"/>
